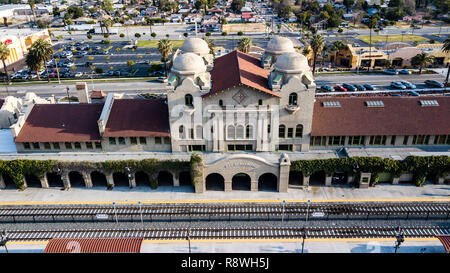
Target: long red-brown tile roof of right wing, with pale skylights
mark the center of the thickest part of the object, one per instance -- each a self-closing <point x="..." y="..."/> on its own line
<point x="399" y="116"/>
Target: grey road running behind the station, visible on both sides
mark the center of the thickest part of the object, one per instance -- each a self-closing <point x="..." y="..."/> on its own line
<point x="147" y="86"/>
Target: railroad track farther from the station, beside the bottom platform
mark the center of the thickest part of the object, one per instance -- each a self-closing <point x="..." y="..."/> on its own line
<point x="232" y="233"/>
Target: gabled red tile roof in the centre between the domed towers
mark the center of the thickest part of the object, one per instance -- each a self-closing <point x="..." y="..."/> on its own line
<point x="237" y="68"/>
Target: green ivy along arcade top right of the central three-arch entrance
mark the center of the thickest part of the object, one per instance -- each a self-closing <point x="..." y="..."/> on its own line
<point x="418" y="166"/>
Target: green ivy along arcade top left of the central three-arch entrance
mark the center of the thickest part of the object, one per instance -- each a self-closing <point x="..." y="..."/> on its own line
<point x="17" y="169"/>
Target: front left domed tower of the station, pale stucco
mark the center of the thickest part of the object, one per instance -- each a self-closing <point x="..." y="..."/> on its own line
<point x="188" y="81"/>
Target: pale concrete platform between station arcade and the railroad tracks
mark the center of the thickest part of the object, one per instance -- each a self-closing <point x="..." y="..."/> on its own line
<point x="186" y="194"/>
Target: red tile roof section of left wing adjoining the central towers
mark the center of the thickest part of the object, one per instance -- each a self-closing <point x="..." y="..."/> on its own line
<point x="138" y="117"/>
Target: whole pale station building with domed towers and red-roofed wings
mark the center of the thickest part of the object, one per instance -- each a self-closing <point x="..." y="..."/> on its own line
<point x="248" y="117"/>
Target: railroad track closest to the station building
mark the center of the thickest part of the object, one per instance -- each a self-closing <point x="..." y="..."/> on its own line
<point x="387" y="210"/>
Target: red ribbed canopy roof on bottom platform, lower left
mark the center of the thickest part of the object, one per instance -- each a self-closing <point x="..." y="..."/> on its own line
<point x="95" y="245"/>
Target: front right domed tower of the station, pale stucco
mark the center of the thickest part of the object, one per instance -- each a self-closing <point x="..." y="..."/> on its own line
<point x="292" y="77"/>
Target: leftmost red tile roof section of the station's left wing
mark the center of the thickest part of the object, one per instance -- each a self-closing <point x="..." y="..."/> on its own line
<point x="61" y="123"/>
